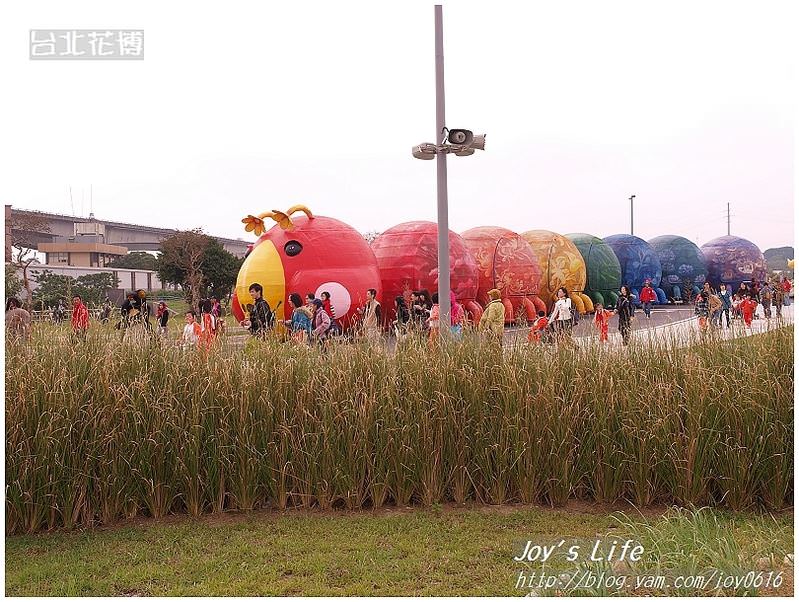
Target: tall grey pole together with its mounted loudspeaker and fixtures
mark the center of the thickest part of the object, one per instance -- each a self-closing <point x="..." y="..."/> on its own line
<point x="460" y="142"/>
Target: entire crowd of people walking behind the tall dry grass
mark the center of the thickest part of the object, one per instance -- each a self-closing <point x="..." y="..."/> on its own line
<point x="313" y="320"/>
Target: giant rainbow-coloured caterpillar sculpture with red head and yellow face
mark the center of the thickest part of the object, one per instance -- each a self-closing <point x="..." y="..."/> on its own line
<point x="313" y="254"/>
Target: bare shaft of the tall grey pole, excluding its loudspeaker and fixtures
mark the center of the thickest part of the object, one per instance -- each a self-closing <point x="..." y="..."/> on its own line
<point x="441" y="172"/>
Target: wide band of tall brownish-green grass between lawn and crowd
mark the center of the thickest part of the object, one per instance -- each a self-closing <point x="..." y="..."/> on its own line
<point x="100" y="431"/>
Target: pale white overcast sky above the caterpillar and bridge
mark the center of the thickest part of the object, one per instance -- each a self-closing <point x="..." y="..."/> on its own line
<point x="249" y="106"/>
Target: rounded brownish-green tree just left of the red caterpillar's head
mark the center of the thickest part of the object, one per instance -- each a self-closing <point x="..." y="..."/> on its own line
<point x="199" y="264"/>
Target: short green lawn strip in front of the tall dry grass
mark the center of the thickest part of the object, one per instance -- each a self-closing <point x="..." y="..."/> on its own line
<point x="440" y="551"/>
